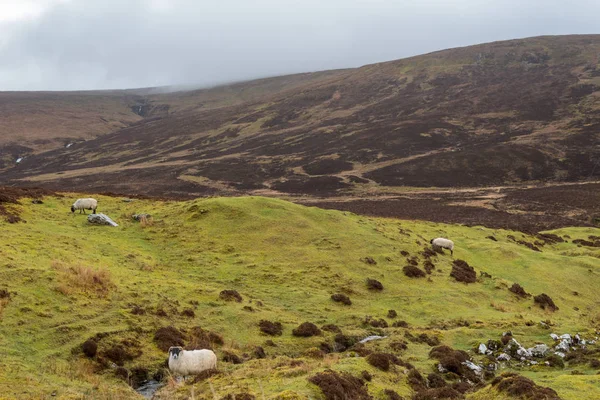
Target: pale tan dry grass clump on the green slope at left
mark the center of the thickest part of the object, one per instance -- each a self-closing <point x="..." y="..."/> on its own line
<point x="80" y="278"/>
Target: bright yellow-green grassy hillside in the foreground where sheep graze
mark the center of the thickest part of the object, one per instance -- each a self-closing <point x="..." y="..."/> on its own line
<point x="66" y="281"/>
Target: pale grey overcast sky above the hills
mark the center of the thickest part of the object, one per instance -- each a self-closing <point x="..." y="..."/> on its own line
<point x="102" y="44"/>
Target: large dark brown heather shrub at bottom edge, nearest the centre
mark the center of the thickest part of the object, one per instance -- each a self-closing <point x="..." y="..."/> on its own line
<point x="337" y="386"/>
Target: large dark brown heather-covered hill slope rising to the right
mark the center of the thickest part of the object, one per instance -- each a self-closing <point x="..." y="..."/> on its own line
<point x="493" y="114"/>
